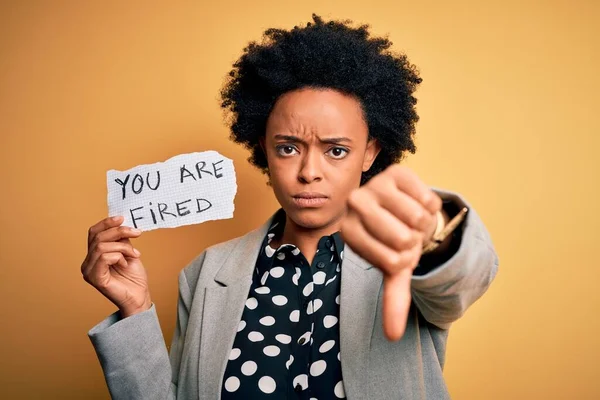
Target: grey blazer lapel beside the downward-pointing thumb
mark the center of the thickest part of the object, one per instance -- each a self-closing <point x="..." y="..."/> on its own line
<point x="360" y="288"/>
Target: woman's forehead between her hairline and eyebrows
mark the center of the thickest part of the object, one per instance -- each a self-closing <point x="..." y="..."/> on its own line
<point x="317" y="111"/>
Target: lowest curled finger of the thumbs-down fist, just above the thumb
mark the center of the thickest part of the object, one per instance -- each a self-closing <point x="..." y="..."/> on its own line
<point x="372" y="250"/>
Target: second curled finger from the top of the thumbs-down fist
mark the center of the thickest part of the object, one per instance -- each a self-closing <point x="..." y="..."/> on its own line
<point x="403" y="207"/>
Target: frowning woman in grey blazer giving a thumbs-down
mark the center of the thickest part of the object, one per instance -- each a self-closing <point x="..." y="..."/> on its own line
<point x="349" y="289"/>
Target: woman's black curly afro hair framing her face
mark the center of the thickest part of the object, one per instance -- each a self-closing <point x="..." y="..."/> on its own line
<point x="324" y="55"/>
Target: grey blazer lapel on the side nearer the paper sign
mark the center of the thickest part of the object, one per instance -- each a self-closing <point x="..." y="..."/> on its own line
<point x="223" y="308"/>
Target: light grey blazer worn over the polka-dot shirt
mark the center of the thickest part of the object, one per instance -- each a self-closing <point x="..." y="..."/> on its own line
<point x="212" y="292"/>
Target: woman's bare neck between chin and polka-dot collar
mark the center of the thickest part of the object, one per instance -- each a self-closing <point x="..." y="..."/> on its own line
<point x="306" y="239"/>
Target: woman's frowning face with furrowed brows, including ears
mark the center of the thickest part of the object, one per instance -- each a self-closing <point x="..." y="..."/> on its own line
<point x="316" y="147"/>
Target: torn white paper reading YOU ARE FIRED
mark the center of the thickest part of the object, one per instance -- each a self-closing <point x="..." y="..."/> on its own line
<point x="185" y="189"/>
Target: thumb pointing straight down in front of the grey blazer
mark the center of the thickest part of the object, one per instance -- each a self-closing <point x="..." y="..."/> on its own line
<point x="396" y="303"/>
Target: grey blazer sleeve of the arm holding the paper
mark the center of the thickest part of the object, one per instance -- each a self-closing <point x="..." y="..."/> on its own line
<point x="133" y="353"/>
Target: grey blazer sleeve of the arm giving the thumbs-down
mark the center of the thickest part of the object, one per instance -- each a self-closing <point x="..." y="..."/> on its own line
<point x="443" y="294"/>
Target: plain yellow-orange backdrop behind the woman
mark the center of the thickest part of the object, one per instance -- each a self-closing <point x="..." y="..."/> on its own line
<point x="509" y="118"/>
